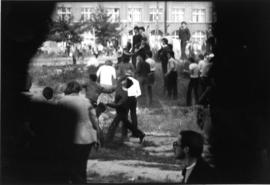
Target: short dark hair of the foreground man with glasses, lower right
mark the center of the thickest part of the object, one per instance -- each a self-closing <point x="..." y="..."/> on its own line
<point x="194" y="141"/>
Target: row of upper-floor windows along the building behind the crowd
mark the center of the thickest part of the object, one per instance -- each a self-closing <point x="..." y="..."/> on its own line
<point x="135" y="14"/>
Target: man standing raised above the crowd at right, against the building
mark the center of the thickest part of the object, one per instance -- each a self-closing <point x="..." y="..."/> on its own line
<point x="184" y="36"/>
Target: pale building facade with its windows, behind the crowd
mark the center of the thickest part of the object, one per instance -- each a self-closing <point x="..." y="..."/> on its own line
<point x="152" y="15"/>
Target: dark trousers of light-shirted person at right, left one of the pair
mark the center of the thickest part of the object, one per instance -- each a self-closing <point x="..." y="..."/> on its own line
<point x="193" y="86"/>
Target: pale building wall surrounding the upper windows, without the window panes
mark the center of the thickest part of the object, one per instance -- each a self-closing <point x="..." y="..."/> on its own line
<point x="145" y="6"/>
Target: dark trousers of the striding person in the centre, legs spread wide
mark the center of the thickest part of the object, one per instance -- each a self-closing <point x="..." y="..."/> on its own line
<point x="122" y="115"/>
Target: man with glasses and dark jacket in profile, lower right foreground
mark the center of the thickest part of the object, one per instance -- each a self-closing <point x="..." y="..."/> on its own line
<point x="188" y="148"/>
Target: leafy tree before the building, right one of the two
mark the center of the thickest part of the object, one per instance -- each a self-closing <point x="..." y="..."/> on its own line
<point x="104" y="28"/>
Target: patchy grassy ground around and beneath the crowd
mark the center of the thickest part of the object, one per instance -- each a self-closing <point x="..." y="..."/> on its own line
<point x="153" y="161"/>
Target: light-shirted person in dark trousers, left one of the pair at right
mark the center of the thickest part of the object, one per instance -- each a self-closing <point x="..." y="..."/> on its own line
<point x="194" y="82"/>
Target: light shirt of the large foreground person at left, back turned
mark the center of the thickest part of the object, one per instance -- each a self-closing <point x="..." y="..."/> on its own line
<point x="84" y="131"/>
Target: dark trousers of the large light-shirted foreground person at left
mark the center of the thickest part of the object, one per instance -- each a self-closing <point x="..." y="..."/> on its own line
<point x="78" y="162"/>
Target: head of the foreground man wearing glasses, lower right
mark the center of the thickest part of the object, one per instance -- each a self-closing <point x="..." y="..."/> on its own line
<point x="188" y="145"/>
